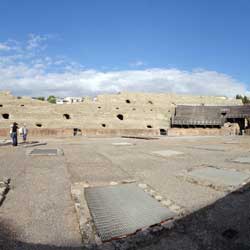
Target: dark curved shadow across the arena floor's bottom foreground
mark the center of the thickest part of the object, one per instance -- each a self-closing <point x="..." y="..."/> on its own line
<point x="224" y="225"/>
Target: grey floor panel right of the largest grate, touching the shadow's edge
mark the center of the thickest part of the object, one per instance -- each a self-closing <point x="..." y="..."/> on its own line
<point x="218" y="178"/>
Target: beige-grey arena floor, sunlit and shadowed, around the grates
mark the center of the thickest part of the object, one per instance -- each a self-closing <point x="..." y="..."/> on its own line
<point x="38" y="212"/>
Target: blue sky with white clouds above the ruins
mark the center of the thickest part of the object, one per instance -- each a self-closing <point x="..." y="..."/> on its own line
<point x="89" y="47"/>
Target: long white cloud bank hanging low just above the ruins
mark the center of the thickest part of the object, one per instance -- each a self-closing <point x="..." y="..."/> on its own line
<point x="32" y="74"/>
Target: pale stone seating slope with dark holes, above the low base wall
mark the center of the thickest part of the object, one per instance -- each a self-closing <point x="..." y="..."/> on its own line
<point x="143" y="111"/>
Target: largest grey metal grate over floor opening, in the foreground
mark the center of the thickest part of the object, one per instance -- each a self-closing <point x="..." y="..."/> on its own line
<point x="121" y="210"/>
